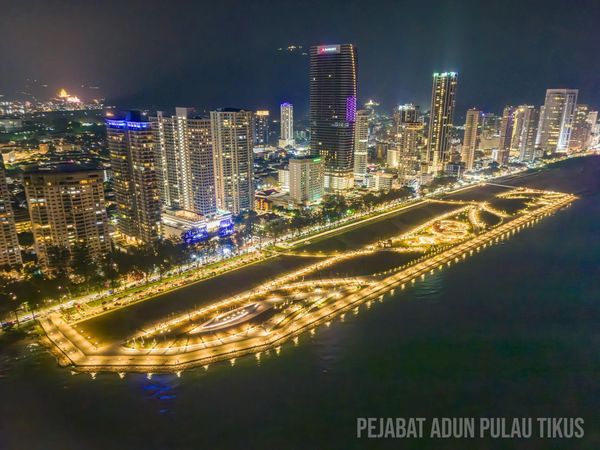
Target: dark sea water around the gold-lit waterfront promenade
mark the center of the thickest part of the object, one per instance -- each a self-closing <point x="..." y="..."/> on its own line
<point x="514" y="331"/>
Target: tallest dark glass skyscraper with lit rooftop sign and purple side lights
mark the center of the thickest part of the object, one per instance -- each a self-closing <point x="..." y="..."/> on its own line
<point x="333" y="79"/>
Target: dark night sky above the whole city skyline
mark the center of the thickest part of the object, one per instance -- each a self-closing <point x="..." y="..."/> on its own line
<point x="159" y="54"/>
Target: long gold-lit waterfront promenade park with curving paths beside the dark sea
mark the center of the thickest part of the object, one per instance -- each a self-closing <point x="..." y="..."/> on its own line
<point x="284" y="309"/>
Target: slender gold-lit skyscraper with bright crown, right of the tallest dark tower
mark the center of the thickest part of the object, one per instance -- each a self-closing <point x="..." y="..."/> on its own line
<point x="440" y="119"/>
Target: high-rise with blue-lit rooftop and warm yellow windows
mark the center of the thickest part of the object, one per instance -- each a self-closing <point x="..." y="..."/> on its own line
<point x="135" y="181"/>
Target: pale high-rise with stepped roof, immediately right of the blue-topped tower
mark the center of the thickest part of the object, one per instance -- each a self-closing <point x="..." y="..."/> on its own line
<point x="184" y="162"/>
